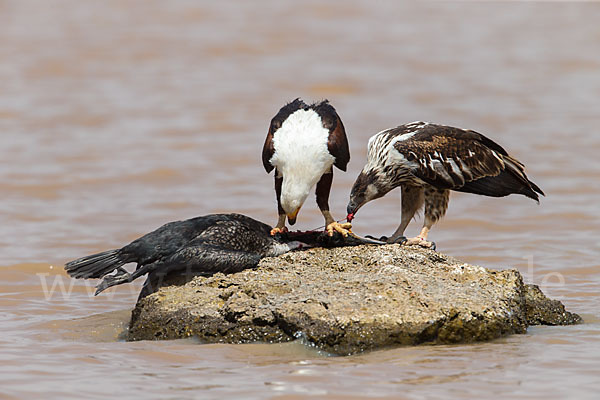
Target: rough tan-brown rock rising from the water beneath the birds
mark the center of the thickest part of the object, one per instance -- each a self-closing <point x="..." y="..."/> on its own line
<point x="349" y="299"/>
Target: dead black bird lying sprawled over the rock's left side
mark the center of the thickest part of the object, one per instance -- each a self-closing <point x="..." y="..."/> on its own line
<point x="202" y="245"/>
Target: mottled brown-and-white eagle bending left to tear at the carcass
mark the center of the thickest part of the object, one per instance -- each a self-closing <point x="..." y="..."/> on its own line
<point x="427" y="161"/>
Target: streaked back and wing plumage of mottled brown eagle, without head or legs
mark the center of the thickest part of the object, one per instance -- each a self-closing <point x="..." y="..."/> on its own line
<point x="448" y="158"/>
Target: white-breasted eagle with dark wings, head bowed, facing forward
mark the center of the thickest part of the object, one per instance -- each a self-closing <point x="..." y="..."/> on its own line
<point x="303" y="144"/>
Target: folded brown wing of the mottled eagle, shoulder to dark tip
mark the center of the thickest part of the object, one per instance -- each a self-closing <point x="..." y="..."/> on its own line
<point x="464" y="160"/>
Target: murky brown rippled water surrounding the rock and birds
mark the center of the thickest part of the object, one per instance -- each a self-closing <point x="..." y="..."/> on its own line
<point x="116" y="117"/>
